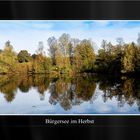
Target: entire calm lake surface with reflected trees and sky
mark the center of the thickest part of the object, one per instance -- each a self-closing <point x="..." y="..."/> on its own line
<point x="92" y="94"/>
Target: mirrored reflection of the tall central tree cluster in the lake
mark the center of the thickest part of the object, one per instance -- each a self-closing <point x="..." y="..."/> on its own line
<point x="71" y="91"/>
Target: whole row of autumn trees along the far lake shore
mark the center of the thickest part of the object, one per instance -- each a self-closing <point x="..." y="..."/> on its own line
<point x="70" y="56"/>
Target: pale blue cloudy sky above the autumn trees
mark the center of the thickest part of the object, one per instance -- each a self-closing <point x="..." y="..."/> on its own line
<point x="25" y="34"/>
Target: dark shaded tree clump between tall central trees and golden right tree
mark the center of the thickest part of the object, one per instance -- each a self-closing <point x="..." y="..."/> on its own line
<point x="109" y="58"/>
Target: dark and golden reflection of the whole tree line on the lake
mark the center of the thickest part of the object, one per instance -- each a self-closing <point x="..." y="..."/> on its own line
<point x="72" y="91"/>
